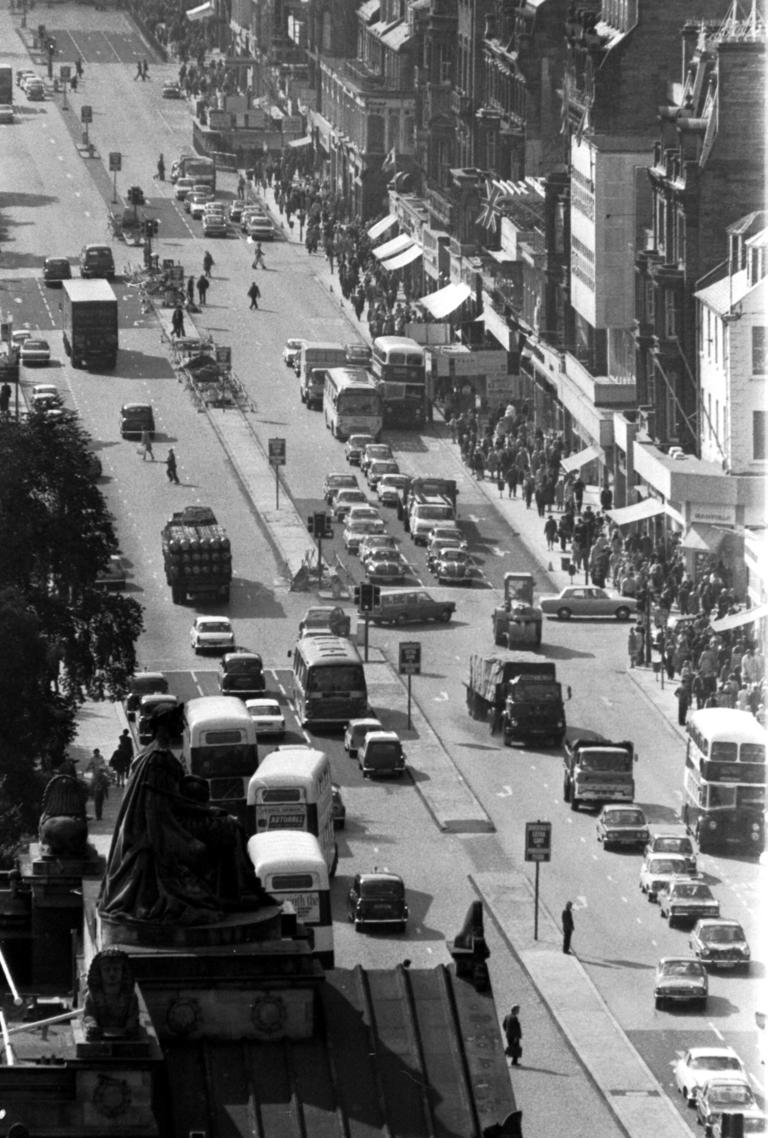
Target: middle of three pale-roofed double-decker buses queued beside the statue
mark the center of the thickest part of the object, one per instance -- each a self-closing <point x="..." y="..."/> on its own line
<point x="293" y="790"/>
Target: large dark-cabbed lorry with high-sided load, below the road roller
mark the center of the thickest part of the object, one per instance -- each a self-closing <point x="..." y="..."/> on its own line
<point x="521" y="696"/>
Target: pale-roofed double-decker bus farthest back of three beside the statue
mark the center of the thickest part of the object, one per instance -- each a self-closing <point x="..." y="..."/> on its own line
<point x="219" y="745"/>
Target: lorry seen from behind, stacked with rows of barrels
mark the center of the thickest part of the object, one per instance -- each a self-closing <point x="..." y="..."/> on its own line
<point x="197" y="555"/>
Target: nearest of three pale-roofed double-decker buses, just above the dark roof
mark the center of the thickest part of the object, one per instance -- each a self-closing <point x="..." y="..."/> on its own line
<point x="291" y="867"/>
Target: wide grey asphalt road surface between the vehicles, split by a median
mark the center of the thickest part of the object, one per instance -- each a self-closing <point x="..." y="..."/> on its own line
<point x="54" y="208"/>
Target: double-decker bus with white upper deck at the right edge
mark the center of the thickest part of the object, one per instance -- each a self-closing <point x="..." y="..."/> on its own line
<point x="724" y="791"/>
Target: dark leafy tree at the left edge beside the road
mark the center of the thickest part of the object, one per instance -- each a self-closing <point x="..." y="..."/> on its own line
<point x="64" y="638"/>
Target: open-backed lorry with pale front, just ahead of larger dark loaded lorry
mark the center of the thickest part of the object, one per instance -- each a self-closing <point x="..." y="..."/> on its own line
<point x="599" y="771"/>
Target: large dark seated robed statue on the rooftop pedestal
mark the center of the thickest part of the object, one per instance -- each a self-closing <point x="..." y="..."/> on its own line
<point x="175" y="859"/>
